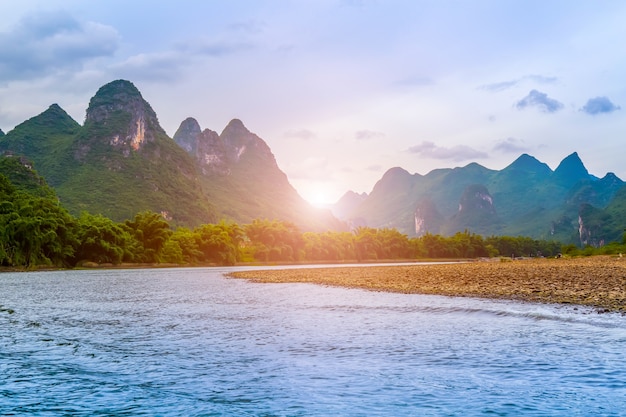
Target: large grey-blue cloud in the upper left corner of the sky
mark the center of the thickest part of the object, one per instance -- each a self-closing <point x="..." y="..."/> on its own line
<point x="46" y="42"/>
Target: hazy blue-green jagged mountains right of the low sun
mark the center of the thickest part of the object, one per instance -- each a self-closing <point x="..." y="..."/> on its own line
<point x="525" y="198"/>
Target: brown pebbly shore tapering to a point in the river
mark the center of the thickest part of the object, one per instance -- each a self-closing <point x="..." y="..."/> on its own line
<point x="598" y="281"/>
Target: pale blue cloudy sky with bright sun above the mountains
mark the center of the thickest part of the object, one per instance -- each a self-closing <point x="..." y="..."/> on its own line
<point x="341" y="90"/>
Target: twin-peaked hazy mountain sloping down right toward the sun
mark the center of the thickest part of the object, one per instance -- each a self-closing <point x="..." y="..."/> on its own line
<point x="242" y="179"/>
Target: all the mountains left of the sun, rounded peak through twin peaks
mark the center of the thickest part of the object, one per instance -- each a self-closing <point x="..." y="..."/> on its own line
<point x="121" y="162"/>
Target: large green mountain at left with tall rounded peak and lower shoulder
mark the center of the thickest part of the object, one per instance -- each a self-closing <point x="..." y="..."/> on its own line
<point x="120" y="162"/>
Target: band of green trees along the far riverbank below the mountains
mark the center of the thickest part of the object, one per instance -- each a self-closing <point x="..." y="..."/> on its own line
<point x="37" y="231"/>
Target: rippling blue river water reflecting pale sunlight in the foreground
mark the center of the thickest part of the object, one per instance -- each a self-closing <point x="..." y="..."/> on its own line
<point x="189" y="342"/>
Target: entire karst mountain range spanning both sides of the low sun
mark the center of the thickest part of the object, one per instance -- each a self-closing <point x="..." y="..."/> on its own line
<point x="121" y="162"/>
